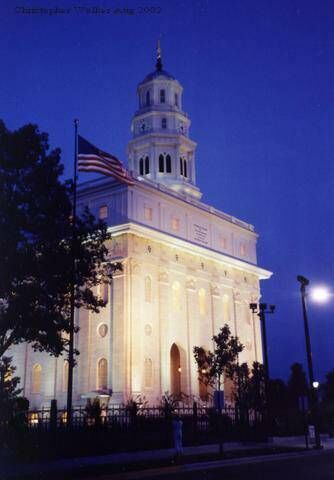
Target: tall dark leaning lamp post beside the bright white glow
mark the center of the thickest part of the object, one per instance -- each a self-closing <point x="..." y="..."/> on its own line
<point x="304" y="282"/>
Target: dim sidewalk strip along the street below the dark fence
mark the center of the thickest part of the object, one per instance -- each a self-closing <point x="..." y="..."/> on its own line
<point x="8" y="470"/>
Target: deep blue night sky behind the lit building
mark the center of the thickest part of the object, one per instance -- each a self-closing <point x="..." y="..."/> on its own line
<point x="258" y="81"/>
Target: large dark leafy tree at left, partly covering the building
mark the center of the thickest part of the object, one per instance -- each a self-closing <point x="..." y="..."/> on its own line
<point x="36" y="236"/>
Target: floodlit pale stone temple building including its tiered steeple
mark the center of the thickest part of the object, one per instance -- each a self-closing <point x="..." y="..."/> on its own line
<point x="188" y="269"/>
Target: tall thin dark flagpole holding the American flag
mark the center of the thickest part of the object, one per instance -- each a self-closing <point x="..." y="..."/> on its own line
<point x="72" y="293"/>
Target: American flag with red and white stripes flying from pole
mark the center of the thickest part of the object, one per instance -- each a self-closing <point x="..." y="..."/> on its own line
<point x="92" y="159"/>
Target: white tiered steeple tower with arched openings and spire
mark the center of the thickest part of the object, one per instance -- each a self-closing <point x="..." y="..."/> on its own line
<point x="161" y="150"/>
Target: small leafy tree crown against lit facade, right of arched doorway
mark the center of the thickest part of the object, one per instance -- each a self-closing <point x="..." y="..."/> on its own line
<point x="212" y="365"/>
